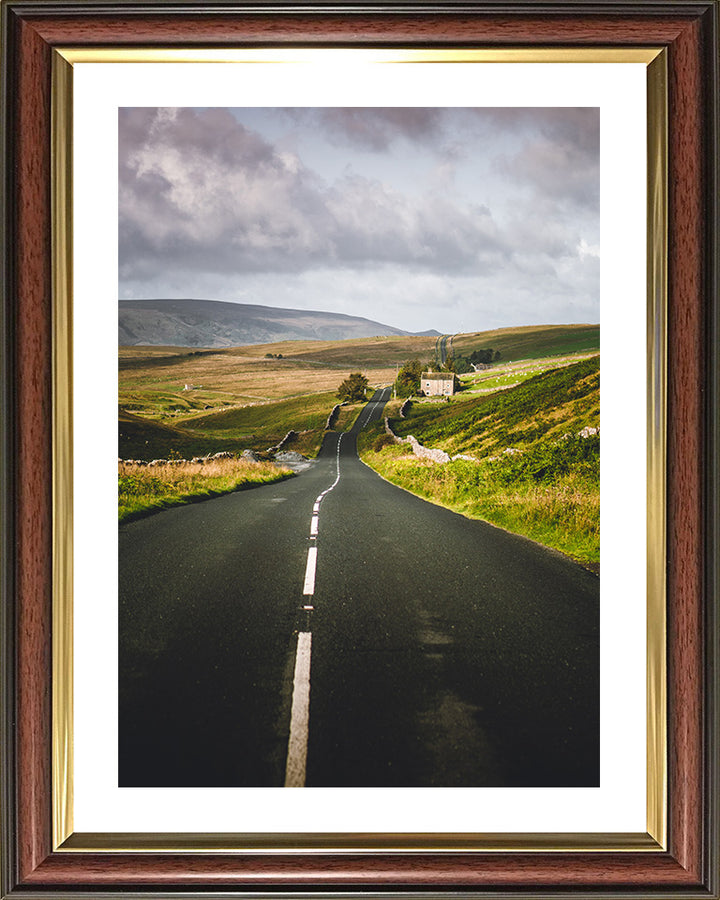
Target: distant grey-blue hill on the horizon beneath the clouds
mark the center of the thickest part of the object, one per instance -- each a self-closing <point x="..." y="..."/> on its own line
<point x="213" y="323"/>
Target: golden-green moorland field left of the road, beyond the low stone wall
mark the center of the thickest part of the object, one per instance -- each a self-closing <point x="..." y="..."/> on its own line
<point x="200" y="401"/>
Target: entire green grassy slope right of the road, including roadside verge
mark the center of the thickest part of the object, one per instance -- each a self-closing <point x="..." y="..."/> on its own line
<point x="547" y="489"/>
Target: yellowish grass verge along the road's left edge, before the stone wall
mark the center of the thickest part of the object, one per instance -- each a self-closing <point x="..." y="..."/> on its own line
<point x="144" y="489"/>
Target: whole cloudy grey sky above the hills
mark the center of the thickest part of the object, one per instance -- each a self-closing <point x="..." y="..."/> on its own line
<point x="449" y="218"/>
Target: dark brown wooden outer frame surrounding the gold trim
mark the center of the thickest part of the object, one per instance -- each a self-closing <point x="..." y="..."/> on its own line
<point x="688" y="29"/>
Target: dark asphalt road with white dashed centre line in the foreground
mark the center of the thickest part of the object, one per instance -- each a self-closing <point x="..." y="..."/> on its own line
<point x="399" y="645"/>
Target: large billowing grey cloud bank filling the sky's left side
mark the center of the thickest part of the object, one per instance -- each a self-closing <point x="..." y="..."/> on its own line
<point x="235" y="203"/>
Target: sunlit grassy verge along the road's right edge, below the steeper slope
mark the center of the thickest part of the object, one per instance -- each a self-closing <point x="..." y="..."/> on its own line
<point x="551" y="495"/>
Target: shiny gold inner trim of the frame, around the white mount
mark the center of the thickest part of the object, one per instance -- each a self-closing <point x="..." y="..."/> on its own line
<point x="64" y="837"/>
